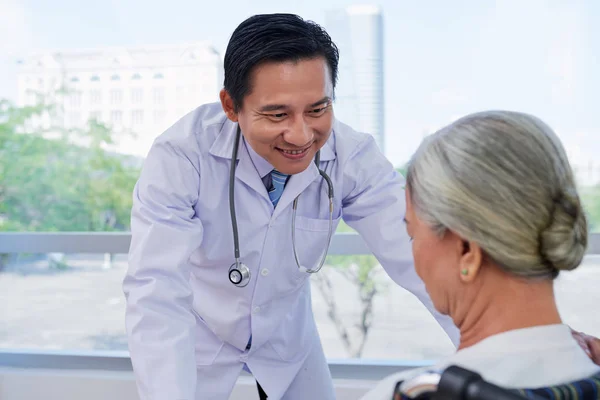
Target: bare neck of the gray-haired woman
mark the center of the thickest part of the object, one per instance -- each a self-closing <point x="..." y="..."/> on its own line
<point x="509" y="303"/>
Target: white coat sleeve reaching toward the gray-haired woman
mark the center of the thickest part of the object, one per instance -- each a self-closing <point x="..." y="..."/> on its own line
<point x="374" y="205"/>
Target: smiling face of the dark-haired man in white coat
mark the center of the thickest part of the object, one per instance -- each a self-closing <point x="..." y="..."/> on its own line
<point x="288" y="114"/>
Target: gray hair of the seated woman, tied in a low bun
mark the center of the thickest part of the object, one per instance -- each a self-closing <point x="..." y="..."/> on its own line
<point x="502" y="180"/>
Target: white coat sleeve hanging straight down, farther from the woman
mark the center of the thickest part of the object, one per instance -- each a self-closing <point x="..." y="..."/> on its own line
<point x="165" y="231"/>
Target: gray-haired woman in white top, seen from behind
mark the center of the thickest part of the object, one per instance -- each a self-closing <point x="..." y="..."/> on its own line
<point x="494" y="216"/>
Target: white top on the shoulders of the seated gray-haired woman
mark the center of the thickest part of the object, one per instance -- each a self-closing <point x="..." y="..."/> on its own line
<point x="519" y="359"/>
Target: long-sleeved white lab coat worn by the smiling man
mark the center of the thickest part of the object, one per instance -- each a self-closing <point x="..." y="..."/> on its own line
<point x="188" y="326"/>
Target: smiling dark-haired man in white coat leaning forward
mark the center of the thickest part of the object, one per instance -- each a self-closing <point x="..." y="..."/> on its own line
<point x="233" y="212"/>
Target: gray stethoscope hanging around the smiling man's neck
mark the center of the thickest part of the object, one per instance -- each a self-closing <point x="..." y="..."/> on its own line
<point x="239" y="273"/>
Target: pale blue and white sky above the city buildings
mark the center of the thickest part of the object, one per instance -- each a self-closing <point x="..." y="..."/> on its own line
<point x="442" y="59"/>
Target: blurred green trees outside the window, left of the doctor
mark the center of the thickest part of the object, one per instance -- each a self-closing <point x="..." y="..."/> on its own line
<point x="50" y="183"/>
